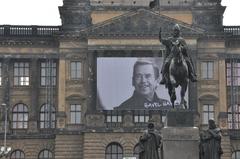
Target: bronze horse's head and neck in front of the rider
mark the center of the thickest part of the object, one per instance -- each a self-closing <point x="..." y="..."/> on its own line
<point x="177" y="51"/>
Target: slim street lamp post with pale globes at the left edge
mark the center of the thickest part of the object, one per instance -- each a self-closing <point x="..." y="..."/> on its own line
<point x="4" y="151"/>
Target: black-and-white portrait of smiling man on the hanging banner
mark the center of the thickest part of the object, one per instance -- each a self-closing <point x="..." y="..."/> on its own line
<point x="145" y="80"/>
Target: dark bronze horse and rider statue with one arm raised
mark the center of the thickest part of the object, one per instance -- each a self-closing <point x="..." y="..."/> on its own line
<point x="177" y="67"/>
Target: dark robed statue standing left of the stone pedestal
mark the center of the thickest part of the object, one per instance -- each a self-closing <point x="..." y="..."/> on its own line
<point x="149" y="144"/>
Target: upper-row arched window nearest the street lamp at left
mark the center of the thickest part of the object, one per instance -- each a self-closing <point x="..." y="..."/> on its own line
<point x="20" y="116"/>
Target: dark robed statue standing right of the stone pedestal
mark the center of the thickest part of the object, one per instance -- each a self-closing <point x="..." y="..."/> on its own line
<point x="210" y="144"/>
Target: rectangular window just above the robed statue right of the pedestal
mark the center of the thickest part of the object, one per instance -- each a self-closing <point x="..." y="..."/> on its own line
<point x="207" y="113"/>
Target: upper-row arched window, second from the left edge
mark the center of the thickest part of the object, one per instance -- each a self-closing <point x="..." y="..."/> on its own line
<point x="47" y="117"/>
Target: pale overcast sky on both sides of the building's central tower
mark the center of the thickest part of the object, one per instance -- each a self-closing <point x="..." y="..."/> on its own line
<point x="45" y="12"/>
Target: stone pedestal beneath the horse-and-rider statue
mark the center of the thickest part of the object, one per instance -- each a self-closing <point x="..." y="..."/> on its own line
<point x="180" y="138"/>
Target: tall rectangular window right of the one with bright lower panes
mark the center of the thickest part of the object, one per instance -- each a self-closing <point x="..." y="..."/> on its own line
<point x="48" y="73"/>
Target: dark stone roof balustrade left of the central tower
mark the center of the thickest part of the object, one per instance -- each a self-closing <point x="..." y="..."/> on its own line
<point x="33" y="30"/>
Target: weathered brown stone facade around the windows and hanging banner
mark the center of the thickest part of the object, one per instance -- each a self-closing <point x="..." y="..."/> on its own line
<point x="105" y="28"/>
